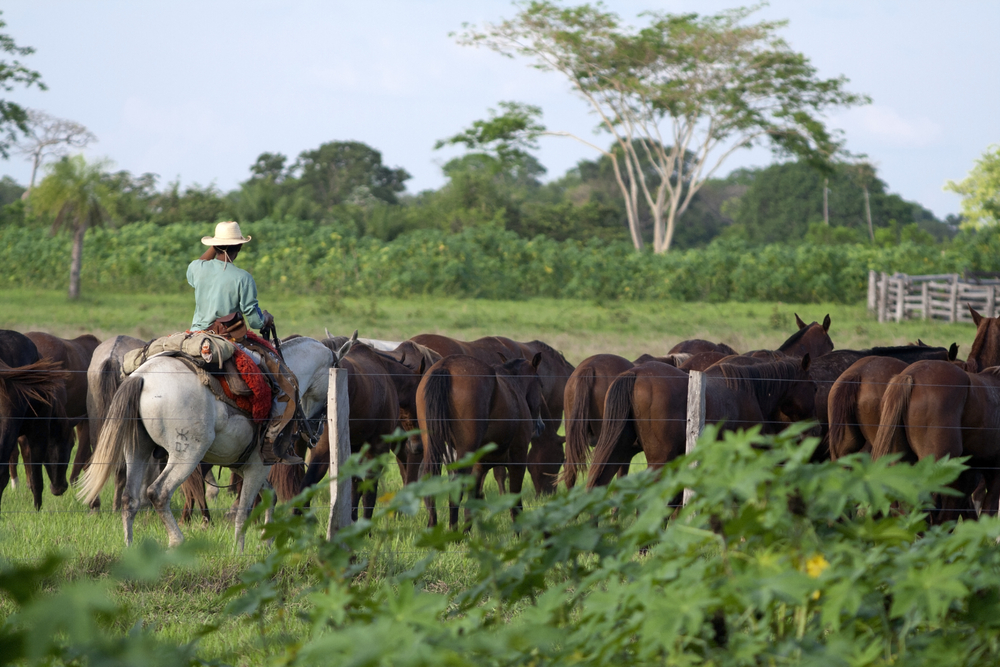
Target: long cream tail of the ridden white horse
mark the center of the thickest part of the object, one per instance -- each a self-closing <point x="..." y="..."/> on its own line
<point x="121" y="426"/>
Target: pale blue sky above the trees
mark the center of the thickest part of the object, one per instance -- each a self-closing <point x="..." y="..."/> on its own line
<point x="197" y="90"/>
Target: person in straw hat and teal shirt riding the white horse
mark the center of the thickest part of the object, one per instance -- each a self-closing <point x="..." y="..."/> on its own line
<point x="226" y="304"/>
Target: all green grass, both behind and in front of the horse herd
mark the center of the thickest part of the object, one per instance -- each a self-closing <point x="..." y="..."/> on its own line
<point x="187" y="598"/>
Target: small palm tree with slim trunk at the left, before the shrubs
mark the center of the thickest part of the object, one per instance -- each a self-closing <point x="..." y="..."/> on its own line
<point x="76" y="193"/>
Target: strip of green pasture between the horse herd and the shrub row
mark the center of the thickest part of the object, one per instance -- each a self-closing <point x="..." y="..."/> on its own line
<point x="577" y="328"/>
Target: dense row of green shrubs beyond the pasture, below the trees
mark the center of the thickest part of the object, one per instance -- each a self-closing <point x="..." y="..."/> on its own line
<point x="484" y="262"/>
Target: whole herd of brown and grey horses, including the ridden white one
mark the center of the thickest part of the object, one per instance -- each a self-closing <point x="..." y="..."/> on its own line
<point x="161" y="428"/>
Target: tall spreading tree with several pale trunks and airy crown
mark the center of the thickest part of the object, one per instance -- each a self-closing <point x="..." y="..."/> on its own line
<point x="683" y="84"/>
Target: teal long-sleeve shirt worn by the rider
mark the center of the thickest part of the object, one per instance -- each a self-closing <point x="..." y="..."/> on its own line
<point x="222" y="289"/>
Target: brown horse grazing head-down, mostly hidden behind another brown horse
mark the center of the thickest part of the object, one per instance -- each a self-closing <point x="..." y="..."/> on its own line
<point x="546" y="454"/>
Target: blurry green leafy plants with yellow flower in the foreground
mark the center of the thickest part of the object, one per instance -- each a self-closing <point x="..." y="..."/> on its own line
<point x="775" y="561"/>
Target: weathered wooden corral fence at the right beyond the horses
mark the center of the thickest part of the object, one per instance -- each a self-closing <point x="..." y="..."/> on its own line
<point x="898" y="297"/>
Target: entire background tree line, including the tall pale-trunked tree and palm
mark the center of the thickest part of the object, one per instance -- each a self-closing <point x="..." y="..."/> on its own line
<point x="675" y="98"/>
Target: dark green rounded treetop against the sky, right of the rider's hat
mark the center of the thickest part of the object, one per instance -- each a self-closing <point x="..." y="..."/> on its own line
<point x="336" y="170"/>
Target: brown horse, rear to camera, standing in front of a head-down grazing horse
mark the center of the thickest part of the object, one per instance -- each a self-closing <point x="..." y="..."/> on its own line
<point x="464" y="404"/>
